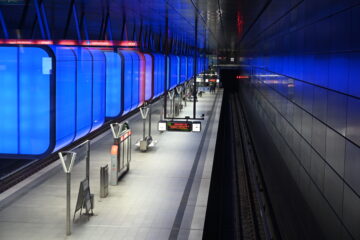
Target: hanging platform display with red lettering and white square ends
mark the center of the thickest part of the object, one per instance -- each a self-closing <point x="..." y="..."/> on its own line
<point x="179" y="126"/>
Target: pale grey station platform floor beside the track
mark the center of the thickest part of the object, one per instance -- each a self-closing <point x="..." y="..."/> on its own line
<point x="163" y="196"/>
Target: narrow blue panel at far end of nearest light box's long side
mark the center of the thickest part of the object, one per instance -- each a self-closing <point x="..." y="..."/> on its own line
<point x="98" y="88"/>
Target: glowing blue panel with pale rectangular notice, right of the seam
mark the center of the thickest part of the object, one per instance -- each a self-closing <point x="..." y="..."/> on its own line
<point x="34" y="100"/>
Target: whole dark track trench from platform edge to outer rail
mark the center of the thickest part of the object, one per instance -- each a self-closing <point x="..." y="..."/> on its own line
<point x="238" y="207"/>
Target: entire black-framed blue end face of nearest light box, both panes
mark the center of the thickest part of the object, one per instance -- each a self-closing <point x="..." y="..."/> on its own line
<point x="25" y="90"/>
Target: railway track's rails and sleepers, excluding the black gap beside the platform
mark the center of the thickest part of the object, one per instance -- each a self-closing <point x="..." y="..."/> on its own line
<point x="254" y="207"/>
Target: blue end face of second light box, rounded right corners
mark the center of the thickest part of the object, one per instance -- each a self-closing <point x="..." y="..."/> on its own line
<point x="113" y="84"/>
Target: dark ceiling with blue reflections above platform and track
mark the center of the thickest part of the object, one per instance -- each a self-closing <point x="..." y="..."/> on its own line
<point x="225" y="23"/>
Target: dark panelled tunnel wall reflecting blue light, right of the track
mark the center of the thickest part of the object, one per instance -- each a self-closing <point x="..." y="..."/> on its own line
<point x="306" y="88"/>
